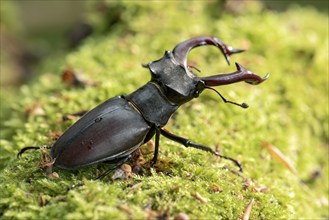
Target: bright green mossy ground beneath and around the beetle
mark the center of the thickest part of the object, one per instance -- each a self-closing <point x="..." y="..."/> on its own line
<point x="289" y="111"/>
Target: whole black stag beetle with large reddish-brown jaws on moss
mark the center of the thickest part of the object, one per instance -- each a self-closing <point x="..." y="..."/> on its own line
<point x="113" y="130"/>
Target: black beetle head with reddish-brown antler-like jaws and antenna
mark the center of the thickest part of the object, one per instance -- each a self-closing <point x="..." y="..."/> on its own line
<point x="172" y="74"/>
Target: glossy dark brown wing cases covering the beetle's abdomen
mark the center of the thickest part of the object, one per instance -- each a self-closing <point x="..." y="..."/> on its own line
<point x="111" y="130"/>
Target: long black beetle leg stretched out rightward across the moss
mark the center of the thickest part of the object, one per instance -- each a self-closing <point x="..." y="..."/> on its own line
<point x="188" y="143"/>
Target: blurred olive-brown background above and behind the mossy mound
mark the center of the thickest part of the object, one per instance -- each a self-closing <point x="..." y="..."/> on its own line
<point x="32" y="30"/>
